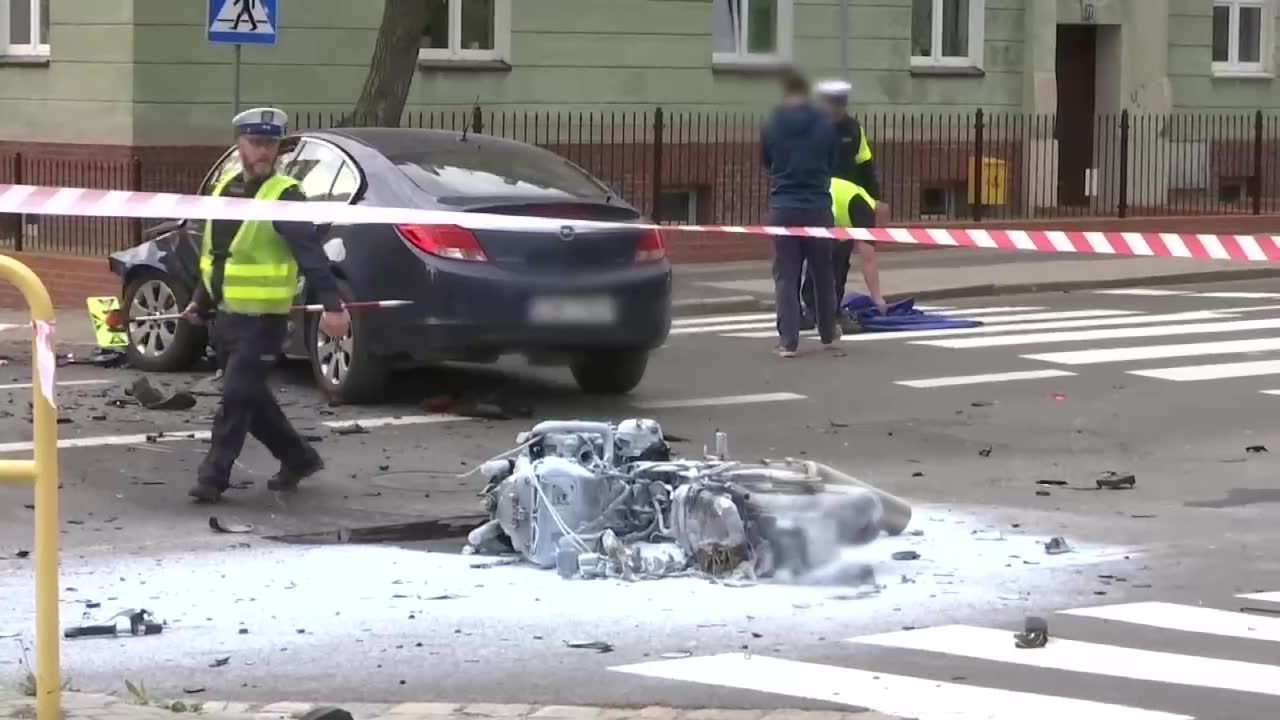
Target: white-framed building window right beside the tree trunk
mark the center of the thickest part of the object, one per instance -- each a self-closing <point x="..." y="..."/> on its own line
<point x="467" y="30"/>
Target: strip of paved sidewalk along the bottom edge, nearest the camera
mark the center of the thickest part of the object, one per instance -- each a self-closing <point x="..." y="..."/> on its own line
<point x="84" y="707"/>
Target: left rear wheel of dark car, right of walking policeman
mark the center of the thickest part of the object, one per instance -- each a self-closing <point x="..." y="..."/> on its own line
<point x="348" y="372"/>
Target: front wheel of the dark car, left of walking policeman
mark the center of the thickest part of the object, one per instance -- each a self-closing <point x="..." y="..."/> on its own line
<point x="164" y="347"/>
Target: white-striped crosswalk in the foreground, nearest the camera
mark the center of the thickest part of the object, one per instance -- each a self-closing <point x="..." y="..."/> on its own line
<point x="1068" y="666"/>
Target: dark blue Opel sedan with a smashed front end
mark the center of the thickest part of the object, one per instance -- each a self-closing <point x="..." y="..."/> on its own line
<point x="596" y="302"/>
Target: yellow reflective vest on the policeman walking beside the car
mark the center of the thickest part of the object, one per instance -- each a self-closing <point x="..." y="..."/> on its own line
<point x="260" y="276"/>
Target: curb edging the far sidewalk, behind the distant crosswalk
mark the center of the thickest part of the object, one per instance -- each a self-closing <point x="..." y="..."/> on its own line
<point x="749" y="304"/>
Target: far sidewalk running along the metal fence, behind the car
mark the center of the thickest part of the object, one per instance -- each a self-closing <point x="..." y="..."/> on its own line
<point x="935" y="275"/>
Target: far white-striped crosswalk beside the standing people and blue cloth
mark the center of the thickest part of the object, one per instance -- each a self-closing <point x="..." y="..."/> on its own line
<point x="1163" y="335"/>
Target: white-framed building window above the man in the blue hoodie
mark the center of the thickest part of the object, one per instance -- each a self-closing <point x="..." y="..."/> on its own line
<point x="747" y="33"/>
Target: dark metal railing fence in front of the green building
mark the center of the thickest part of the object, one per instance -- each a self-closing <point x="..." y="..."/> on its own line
<point x="706" y="168"/>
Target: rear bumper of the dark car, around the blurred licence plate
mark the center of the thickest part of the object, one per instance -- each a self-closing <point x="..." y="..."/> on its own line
<point x="467" y="309"/>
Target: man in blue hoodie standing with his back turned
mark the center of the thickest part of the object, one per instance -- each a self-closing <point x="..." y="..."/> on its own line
<point x="801" y="151"/>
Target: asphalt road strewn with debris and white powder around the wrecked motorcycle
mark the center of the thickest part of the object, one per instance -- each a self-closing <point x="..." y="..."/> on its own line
<point x="414" y="621"/>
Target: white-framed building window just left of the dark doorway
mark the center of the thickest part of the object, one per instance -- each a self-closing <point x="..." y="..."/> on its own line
<point x="948" y="34"/>
